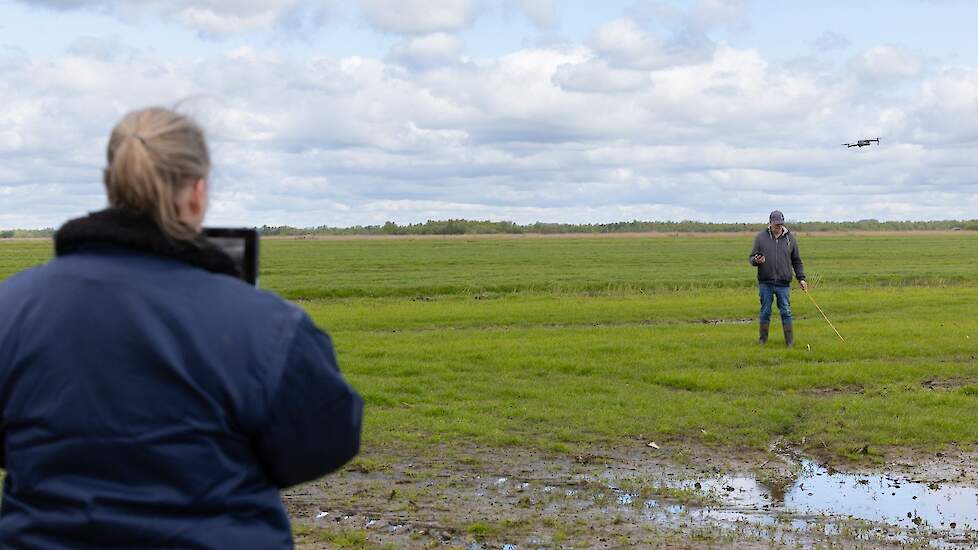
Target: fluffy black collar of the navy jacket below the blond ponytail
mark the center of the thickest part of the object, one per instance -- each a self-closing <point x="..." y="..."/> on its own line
<point x="120" y="228"/>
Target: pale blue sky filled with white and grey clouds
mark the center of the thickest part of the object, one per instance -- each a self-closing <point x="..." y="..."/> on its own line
<point x="344" y="112"/>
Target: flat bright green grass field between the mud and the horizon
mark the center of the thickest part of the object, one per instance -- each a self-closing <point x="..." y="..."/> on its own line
<point x="562" y="343"/>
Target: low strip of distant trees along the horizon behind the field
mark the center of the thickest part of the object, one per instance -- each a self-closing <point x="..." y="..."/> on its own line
<point x="487" y="227"/>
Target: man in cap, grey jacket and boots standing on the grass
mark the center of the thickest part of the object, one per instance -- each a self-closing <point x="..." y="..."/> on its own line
<point x="775" y="254"/>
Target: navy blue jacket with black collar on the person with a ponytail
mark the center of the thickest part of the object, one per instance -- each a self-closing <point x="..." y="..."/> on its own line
<point x="149" y="399"/>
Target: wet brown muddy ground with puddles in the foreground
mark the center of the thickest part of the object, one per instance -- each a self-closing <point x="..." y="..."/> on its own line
<point x="633" y="495"/>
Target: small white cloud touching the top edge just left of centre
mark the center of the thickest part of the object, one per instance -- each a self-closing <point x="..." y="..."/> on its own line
<point x="419" y="16"/>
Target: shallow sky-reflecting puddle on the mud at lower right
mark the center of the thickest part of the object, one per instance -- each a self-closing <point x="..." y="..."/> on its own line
<point x="819" y="502"/>
